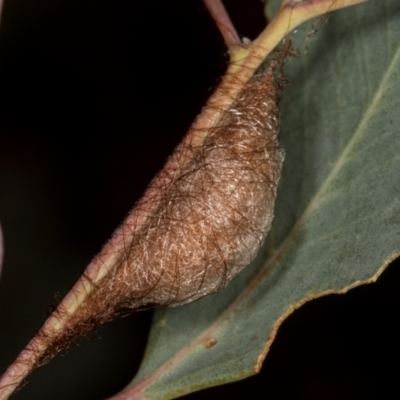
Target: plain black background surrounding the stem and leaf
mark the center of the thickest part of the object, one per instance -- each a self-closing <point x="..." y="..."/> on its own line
<point x="94" y="95"/>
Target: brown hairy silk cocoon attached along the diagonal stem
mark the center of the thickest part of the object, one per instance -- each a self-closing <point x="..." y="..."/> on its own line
<point x="209" y="218"/>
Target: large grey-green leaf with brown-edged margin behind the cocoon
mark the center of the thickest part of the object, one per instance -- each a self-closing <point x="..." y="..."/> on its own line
<point x="337" y="220"/>
